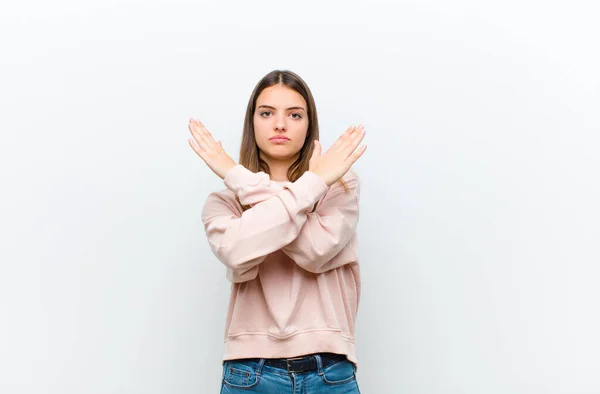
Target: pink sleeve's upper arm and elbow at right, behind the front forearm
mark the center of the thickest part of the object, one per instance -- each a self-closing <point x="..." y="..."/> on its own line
<point x="328" y="230"/>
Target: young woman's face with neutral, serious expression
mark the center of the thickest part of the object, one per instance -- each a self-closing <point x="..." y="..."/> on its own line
<point x="280" y="112"/>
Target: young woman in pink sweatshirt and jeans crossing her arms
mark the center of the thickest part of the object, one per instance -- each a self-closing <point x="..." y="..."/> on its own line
<point x="284" y="228"/>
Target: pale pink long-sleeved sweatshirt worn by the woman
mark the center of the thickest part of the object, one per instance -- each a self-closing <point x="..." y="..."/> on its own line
<point x="295" y="274"/>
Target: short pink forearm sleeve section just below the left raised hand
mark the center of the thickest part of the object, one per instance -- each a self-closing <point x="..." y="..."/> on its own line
<point x="250" y="187"/>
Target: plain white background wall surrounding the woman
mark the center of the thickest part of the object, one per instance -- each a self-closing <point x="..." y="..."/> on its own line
<point x="479" y="221"/>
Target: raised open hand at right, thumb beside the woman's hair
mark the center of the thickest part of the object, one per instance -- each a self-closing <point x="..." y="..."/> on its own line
<point x="339" y="158"/>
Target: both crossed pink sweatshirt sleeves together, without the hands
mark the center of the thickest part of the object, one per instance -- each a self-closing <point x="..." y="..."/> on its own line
<point x="280" y="217"/>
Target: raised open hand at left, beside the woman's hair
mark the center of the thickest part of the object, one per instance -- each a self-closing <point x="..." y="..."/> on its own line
<point x="210" y="151"/>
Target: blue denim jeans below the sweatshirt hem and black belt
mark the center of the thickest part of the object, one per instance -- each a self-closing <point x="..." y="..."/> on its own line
<point x="246" y="376"/>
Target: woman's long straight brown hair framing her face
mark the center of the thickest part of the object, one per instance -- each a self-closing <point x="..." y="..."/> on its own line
<point x="249" y="151"/>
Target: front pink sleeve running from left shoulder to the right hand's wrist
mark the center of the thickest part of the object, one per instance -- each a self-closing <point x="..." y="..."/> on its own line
<point x="242" y="241"/>
